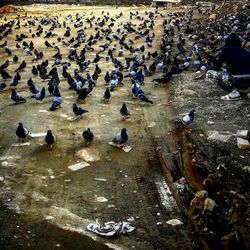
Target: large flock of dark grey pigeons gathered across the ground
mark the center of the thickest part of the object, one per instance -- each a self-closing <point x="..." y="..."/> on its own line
<point x="129" y="46"/>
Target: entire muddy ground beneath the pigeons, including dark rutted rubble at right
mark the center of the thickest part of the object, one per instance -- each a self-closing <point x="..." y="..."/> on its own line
<point x="45" y="205"/>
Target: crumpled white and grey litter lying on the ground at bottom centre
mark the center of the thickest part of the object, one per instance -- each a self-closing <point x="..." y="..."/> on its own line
<point x="110" y="228"/>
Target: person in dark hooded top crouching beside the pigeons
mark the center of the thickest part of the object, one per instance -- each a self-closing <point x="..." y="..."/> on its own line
<point x="236" y="79"/>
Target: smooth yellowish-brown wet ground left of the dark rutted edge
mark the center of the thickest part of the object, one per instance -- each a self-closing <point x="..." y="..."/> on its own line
<point x="45" y="205"/>
